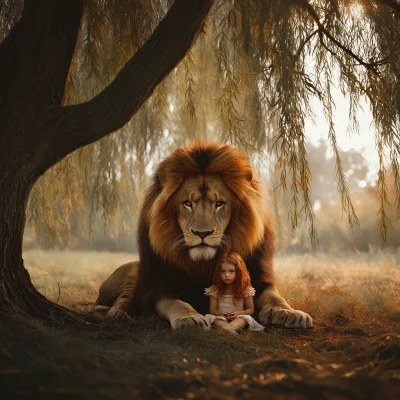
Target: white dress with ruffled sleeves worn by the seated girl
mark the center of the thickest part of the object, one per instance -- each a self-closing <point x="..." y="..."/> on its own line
<point x="226" y="303"/>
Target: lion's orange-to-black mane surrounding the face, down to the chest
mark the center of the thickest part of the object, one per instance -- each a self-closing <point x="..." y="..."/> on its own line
<point x="166" y="269"/>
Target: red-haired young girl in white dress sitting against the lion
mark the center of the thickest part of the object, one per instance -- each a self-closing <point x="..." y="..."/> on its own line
<point x="231" y="296"/>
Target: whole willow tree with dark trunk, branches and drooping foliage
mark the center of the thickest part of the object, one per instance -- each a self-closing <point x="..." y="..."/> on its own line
<point x="74" y="71"/>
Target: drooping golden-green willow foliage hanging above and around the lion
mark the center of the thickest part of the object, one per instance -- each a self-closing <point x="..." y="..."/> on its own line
<point x="248" y="80"/>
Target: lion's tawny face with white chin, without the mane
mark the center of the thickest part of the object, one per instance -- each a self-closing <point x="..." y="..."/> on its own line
<point x="204" y="211"/>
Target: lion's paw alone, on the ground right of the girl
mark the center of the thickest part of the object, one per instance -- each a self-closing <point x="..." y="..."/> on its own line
<point x="289" y="318"/>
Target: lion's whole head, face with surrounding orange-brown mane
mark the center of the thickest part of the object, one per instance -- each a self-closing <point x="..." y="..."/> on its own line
<point x="203" y="197"/>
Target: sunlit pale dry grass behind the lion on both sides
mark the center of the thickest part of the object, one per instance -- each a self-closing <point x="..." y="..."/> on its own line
<point x="363" y="286"/>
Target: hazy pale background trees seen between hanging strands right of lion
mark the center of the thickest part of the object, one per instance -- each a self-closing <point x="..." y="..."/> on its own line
<point x="333" y="232"/>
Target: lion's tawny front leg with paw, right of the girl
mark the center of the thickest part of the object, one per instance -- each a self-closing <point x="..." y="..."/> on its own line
<point x="275" y="310"/>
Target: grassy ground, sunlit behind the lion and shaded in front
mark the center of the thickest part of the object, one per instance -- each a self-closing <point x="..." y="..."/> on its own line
<point x="353" y="351"/>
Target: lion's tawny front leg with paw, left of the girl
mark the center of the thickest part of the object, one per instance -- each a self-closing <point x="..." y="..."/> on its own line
<point x="181" y="314"/>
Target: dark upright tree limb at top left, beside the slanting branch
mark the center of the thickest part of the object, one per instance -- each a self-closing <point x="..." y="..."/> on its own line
<point x="36" y="57"/>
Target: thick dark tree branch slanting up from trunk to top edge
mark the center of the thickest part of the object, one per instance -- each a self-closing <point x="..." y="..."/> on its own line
<point x="68" y="128"/>
